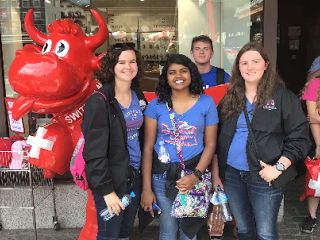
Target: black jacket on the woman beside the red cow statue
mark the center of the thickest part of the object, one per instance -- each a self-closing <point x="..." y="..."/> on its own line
<point x="105" y="151"/>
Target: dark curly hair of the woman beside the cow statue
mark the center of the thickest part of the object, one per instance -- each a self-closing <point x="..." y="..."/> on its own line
<point x="108" y="62"/>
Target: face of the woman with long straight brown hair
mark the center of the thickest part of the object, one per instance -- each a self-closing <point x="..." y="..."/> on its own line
<point x="252" y="66"/>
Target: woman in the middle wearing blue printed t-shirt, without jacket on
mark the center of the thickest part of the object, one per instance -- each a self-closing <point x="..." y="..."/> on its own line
<point x="179" y="88"/>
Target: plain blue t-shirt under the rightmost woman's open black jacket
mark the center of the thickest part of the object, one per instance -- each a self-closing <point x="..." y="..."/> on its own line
<point x="237" y="155"/>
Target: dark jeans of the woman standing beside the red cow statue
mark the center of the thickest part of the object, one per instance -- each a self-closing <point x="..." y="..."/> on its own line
<point x="119" y="227"/>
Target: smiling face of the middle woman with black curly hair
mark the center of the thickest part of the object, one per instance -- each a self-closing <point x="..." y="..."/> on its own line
<point x="179" y="77"/>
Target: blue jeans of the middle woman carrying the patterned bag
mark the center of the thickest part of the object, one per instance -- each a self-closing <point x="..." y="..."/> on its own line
<point x="169" y="225"/>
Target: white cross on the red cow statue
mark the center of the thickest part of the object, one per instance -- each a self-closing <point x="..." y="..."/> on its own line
<point x="38" y="142"/>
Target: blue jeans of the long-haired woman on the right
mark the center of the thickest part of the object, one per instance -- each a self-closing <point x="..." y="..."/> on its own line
<point x="254" y="204"/>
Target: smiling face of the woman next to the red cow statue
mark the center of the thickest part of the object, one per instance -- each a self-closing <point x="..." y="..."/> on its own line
<point x="126" y="68"/>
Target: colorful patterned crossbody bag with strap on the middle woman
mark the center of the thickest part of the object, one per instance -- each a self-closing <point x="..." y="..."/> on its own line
<point x="195" y="203"/>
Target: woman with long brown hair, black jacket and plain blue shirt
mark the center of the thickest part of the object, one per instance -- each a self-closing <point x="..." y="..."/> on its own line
<point x="249" y="172"/>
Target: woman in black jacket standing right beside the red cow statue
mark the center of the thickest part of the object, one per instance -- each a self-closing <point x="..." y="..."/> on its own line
<point x="112" y="127"/>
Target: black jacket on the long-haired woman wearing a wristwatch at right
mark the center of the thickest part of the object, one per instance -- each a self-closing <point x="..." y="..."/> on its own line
<point x="280" y="129"/>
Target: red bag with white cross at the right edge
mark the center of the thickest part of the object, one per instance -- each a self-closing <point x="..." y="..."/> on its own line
<point x="312" y="179"/>
